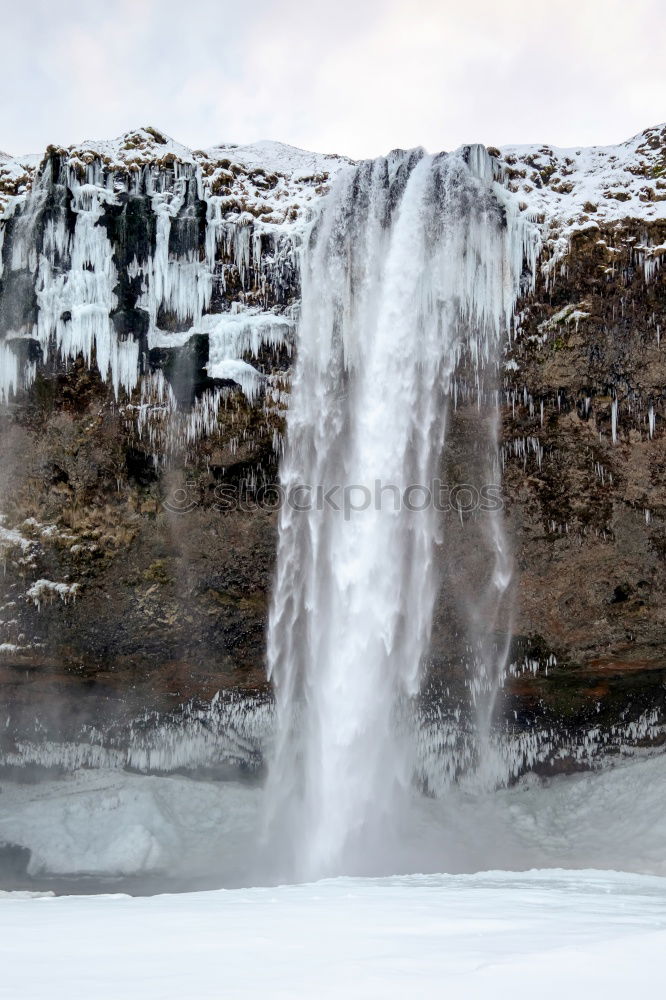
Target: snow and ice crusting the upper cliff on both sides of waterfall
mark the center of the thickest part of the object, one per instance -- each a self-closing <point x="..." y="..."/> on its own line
<point x="258" y="199"/>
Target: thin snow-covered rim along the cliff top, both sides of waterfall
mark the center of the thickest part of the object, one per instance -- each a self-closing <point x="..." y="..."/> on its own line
<point x="566" y="189"/>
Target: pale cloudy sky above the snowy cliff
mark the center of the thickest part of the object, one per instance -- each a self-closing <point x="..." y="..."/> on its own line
<point x="349" y="76"/>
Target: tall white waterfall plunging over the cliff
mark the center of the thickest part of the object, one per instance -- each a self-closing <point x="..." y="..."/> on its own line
<point x="413" y="266"/>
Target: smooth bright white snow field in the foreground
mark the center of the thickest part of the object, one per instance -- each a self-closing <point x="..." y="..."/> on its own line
<point x="546" y="934"/>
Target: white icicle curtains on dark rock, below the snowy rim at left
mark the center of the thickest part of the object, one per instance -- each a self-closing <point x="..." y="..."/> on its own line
<point x="95" y="259"/>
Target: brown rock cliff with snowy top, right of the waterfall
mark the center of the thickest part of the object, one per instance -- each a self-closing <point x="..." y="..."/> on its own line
<point x="584" y="439"/>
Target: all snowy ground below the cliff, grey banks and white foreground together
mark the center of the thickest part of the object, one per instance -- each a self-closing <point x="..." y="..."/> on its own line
<point x="559" y="930"/>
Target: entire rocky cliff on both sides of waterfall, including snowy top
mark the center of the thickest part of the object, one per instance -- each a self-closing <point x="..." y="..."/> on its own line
<point x="147" y="304"/>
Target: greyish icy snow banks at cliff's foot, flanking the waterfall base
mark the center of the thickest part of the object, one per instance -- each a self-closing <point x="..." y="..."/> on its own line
<point x="113" y="823"/>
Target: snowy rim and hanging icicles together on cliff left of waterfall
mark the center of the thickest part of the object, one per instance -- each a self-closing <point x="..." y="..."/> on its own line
<point x="74" y="231"/>
